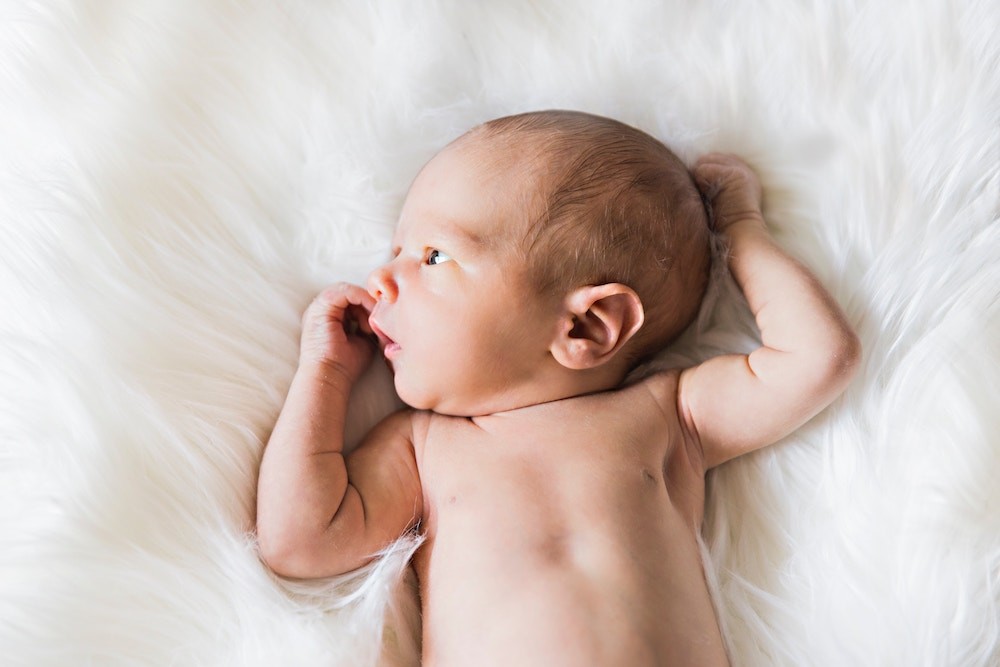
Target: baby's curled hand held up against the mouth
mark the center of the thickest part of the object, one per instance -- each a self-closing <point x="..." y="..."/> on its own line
<point x="335" y="330"/>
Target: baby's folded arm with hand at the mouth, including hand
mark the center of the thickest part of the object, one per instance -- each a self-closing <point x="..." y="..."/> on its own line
<point x="317" y="513"/>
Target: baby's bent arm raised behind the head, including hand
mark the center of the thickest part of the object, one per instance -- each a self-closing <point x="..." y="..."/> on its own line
<point x="734" y="404"/>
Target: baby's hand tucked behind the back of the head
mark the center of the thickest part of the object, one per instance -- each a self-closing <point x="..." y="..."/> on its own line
<point x="732" y="189"/>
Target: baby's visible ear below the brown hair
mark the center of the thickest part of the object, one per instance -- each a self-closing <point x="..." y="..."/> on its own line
<point x="597" y="322"/>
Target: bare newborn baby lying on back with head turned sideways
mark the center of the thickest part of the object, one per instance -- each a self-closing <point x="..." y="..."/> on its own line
<point x="539" y="259"/>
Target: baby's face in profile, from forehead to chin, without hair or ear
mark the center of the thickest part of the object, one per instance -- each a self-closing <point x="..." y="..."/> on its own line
<point x="463" y="332"/>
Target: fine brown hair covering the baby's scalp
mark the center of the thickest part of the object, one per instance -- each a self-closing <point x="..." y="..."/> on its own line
<point x="607" y="204"/>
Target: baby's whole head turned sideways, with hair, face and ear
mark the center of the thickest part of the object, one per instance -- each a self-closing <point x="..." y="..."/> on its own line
<point x="579" y="246"/>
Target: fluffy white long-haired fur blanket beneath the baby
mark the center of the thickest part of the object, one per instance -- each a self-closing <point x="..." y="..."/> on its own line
<point x="178" y="178"/>
